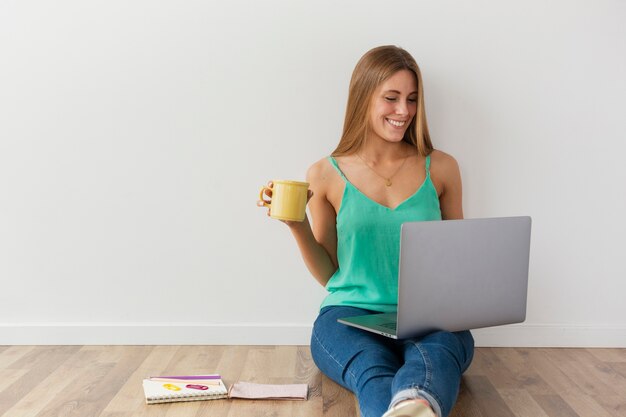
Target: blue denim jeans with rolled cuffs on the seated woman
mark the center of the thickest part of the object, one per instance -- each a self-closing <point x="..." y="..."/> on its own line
<point x="381" y="371"/>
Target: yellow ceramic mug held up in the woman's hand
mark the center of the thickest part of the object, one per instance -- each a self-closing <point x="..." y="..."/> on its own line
<point x="288" y="200"/>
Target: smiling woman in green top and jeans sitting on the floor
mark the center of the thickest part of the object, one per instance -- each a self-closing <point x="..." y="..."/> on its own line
<point x="383" y="173"/>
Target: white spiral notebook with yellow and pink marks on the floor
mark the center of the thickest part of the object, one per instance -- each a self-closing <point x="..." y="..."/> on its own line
<point x="166" y="389"/>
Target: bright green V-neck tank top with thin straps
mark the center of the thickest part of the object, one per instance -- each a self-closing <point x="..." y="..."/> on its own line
<point x="368" y="245"/>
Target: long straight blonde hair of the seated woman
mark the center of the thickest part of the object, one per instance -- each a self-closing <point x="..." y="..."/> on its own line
<point x="376" y="66"/>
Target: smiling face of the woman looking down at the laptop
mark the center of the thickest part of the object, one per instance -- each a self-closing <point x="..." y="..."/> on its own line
<point x="393" y="107"/>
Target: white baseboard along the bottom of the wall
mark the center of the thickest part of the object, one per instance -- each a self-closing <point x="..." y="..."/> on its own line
<point x="520" y="335"/>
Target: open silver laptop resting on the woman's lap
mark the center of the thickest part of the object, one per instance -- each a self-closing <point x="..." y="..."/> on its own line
<point x="457" y="275"/>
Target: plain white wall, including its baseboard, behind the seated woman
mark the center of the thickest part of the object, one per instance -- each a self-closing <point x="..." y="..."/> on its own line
<point x="134" y="137"/>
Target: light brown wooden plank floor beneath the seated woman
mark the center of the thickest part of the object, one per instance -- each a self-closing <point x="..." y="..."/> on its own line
<point x="92" y="381"/>
